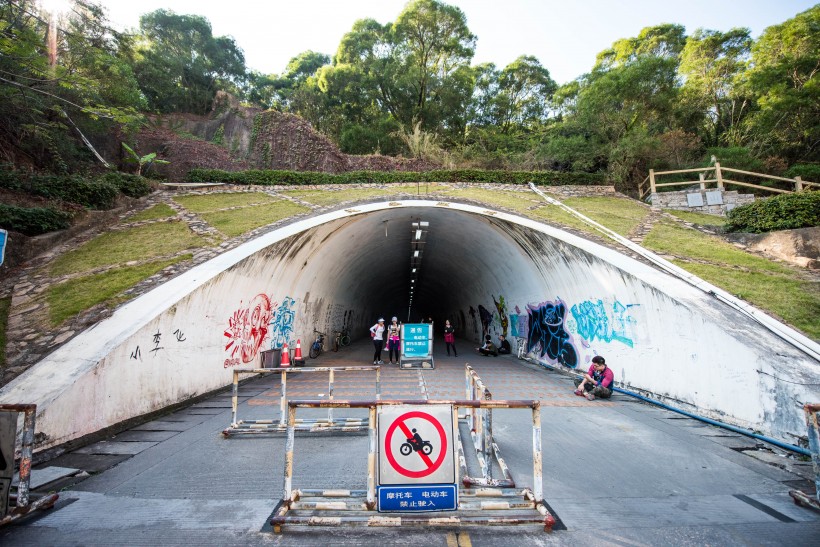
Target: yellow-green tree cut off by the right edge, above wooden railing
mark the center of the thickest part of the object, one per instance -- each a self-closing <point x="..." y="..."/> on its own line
<point x="783" y="80"/>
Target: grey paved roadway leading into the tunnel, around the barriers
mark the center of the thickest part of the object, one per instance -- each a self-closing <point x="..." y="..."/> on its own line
<point x="616" y="472"/>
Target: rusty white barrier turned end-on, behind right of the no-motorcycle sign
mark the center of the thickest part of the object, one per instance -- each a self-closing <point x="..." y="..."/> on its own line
<point x="480" y="422"/>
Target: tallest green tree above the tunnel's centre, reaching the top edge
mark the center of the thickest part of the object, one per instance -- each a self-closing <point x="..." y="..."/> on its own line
<point x="415" y="70"/>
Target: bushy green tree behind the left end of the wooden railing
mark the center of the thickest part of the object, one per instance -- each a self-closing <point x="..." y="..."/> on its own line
<point x="616" y="111"/>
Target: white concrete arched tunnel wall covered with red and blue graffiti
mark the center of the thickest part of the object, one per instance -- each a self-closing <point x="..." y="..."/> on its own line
<point x="567" y="295"/>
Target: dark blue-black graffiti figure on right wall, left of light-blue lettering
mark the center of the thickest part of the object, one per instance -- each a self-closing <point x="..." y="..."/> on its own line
<point x="546" y="331"/>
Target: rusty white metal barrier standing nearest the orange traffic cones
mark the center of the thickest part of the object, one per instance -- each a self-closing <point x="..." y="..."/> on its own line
<point x="256" y="427"/>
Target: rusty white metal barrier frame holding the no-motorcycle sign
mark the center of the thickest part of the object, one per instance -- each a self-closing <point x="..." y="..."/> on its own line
<point x="482" y="506"/>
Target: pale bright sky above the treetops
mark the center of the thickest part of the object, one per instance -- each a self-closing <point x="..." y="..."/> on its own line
<point x="565" y="35"/>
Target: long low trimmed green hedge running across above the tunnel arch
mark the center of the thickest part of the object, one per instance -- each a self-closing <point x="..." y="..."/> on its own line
<point x="270" y="177"/>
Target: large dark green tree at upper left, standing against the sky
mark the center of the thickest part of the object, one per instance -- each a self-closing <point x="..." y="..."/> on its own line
<point x="180" y="65"/>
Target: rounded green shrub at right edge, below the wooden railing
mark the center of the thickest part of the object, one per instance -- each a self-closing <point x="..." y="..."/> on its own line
<point x="784" y="212"/>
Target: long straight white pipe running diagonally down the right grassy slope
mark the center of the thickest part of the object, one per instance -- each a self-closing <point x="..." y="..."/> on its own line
<point x="788" y="334"/>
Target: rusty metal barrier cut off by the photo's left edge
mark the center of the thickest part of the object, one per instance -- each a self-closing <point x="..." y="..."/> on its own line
<point x="22" y="499"/>
